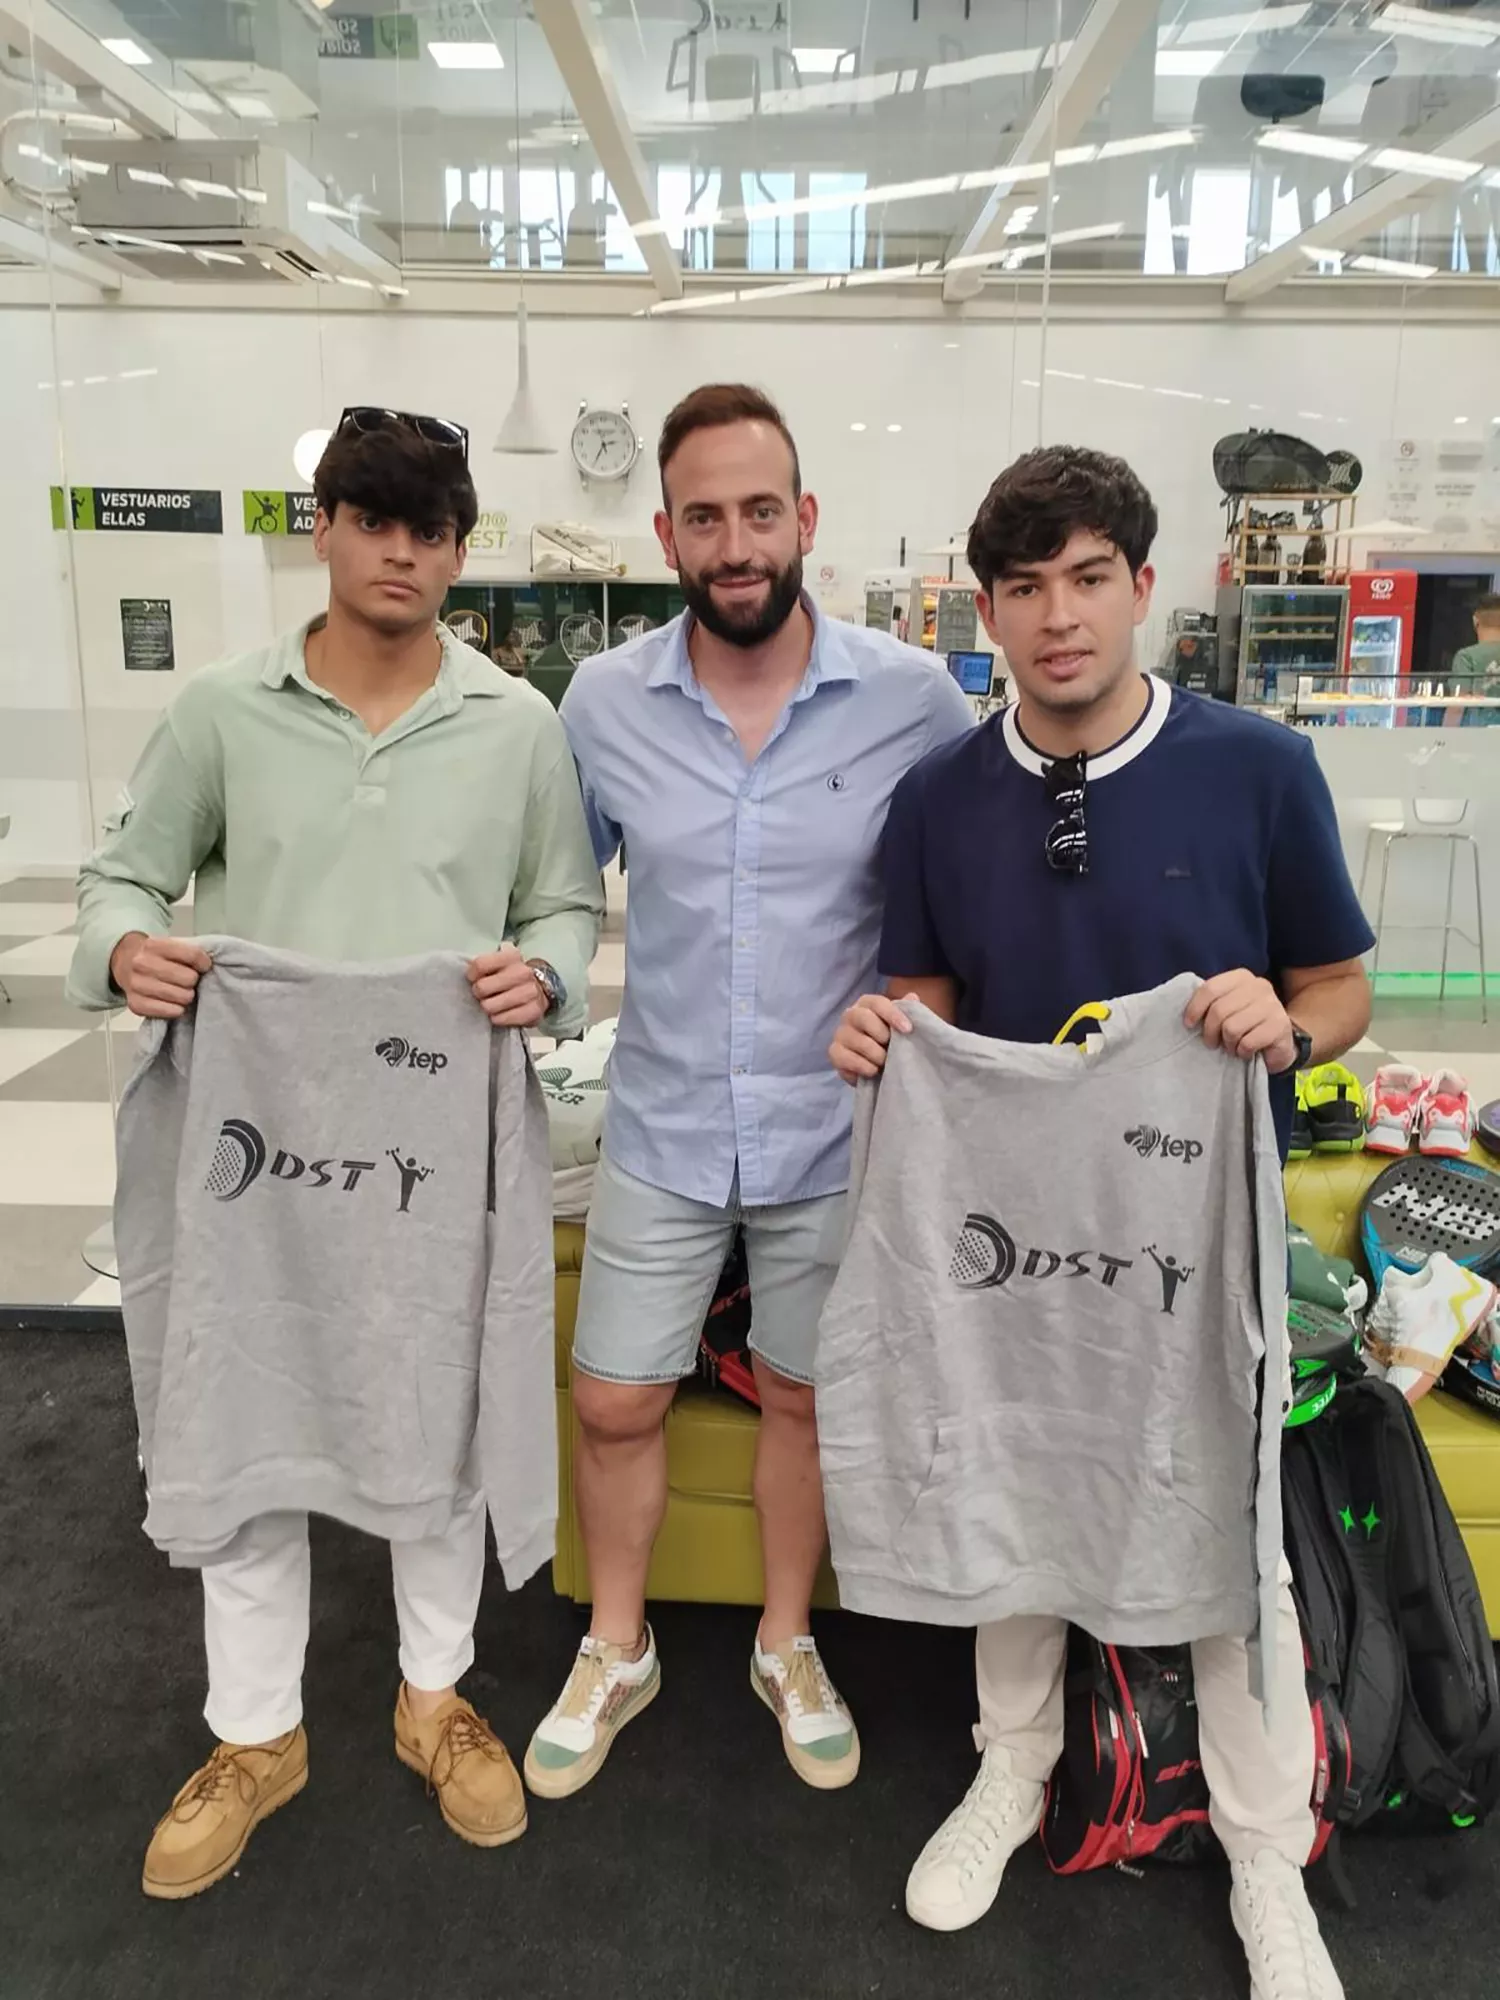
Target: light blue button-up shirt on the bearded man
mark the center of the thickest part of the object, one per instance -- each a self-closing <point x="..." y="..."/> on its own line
<point x="755" y="901"/>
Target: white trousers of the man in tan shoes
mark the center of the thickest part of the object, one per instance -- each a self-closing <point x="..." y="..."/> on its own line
<point x="257" y="1619"/>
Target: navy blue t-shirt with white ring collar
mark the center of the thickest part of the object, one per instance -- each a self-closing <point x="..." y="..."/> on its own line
<point x="1211" y="845"/>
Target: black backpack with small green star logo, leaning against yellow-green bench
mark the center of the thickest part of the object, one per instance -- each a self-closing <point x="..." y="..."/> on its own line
<point x="1393" y="1615"/>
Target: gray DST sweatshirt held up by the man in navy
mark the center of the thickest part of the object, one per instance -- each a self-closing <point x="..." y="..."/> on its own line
<point x="1039" y="1367"/>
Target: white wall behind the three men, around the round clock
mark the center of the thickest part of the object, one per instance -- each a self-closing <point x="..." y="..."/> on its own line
<point x="231" y="391"/>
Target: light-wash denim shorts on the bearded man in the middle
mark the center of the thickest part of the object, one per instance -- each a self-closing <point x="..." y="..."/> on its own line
<point x="653" y="1263"/>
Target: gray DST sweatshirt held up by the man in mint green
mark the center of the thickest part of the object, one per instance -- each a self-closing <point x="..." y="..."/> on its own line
<point x="335" y="1235"/>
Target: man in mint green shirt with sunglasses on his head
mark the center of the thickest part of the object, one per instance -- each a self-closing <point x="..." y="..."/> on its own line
<point x="365" y="789"/>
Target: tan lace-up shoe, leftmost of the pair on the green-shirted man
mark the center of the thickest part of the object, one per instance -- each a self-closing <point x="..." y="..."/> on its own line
<point x="211" y="1821"/>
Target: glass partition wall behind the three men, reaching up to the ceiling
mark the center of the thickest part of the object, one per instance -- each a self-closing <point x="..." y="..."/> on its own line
<point x="939" y="233"/>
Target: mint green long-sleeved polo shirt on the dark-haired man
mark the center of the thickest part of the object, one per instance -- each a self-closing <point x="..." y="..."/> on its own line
<point x="457" y="829"/>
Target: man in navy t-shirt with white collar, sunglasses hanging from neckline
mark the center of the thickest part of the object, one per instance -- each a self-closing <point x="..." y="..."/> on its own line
<point x="1101" y="837"/>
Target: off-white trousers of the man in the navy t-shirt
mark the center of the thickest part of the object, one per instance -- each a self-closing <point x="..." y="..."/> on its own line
<point x="1259" y="1781"/>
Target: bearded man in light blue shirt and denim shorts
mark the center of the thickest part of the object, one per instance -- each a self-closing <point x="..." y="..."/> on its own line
<point x="745" y="755"/>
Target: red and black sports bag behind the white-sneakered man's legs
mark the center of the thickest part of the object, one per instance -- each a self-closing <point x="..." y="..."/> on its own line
<point x="1131" y="1781"/>
